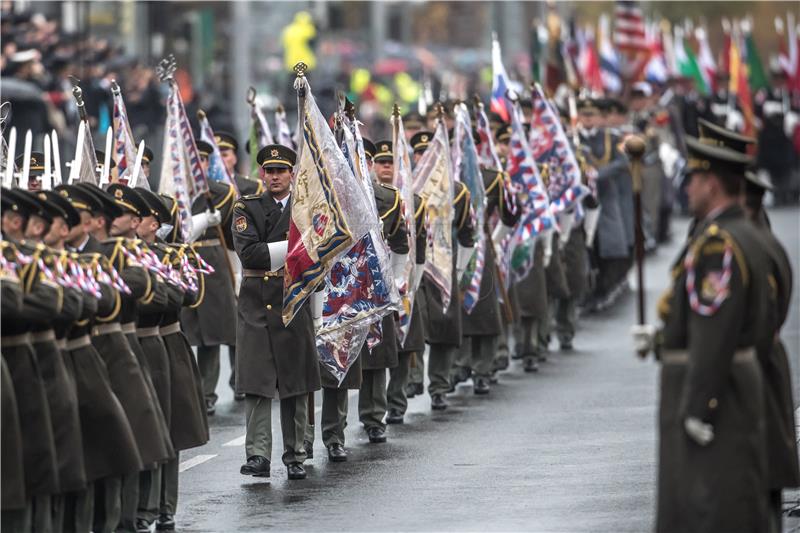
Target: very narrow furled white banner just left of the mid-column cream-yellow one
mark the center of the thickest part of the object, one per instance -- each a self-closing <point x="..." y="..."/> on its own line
<point x="402" y="180"/>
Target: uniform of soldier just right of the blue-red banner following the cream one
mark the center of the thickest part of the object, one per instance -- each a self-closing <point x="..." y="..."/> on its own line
<point x="483" y="326"/>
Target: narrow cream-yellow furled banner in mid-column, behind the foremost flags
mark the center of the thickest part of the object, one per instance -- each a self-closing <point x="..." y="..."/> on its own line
<point x="433" y="182"/>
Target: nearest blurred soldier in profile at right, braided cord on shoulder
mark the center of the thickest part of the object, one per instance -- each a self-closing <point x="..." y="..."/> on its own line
<point x="712" y="460"/>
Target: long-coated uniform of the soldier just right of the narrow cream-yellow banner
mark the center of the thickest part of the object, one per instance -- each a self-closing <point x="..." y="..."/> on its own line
<point x="444" y="334"/>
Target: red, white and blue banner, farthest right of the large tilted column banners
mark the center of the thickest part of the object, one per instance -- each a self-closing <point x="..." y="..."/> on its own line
<point x="550" y="146"/>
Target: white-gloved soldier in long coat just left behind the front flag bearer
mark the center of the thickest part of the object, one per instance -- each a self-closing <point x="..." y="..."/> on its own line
<point x="211" y="321"/>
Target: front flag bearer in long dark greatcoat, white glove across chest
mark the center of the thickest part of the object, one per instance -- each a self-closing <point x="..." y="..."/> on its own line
<point x="272" y="357"/>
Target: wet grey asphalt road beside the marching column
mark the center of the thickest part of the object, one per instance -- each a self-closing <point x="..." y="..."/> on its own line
<point x="572" y="448"/>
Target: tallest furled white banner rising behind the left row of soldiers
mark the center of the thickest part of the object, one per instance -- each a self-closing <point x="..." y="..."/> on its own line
<point x="182" y="176"/>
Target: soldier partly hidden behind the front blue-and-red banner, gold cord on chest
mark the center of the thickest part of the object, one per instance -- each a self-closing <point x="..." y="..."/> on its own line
<point x="372" y="400"/>
